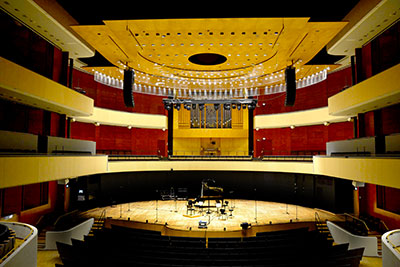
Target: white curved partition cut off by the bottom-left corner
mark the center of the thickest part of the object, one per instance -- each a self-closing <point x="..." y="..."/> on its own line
<point x="25" y="255"/>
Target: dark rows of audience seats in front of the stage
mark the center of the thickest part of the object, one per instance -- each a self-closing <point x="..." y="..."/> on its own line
<point x="121" y="246"/>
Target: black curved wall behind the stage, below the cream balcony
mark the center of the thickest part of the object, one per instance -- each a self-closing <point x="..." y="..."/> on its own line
<point x="314" y="191"/>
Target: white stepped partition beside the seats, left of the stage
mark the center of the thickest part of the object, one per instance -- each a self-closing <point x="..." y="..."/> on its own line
<point x="76" y="232"/>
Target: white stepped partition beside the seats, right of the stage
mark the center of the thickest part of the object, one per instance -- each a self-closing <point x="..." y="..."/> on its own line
<point x="341" y="236"/>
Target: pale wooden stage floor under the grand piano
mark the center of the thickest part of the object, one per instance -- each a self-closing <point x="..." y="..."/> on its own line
<point x="174" y="213"/>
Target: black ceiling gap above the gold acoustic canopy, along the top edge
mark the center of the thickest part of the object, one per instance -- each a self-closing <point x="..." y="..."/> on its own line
<point x="91" y="12"/>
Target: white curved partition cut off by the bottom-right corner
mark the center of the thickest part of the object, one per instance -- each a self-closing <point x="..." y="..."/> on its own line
<point x="391" y="249"/>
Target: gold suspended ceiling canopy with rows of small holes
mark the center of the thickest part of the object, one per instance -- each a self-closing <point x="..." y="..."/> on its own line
<point x="257" y="50"/>
